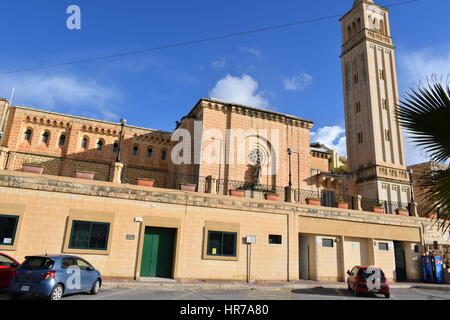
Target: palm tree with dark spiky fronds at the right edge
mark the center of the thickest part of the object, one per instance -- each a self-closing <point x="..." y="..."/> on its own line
<point x="425" y="114"/>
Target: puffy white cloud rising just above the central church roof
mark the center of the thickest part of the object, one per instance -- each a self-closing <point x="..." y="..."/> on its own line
<point x="243" y="90"/>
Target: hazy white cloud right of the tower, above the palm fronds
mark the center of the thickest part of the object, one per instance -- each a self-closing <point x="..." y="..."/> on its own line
<point x="418" y="65"/>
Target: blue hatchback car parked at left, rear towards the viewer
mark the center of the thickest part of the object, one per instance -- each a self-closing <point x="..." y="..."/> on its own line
<point x="52" y="276"/>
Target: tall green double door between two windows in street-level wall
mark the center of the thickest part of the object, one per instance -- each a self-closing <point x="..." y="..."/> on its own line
<point x="157" y="255"/>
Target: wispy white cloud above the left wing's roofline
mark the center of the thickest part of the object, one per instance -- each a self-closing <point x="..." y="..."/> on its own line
<point x="61" y="92"/>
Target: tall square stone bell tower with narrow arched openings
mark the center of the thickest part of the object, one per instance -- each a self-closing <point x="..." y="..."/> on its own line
<point x="374" y="140"/>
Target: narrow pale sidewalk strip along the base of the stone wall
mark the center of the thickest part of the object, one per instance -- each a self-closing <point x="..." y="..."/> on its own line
<point x="164" y="284"/>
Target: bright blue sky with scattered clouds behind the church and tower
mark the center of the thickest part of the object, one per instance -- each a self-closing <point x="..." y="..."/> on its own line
<point x="294" y="70"/>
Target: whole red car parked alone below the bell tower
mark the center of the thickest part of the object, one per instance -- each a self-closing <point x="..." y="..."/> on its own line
<point x="368" y="279"/>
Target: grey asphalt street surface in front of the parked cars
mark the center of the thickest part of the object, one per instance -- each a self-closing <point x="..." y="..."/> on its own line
<point x="283" y="294"/>
